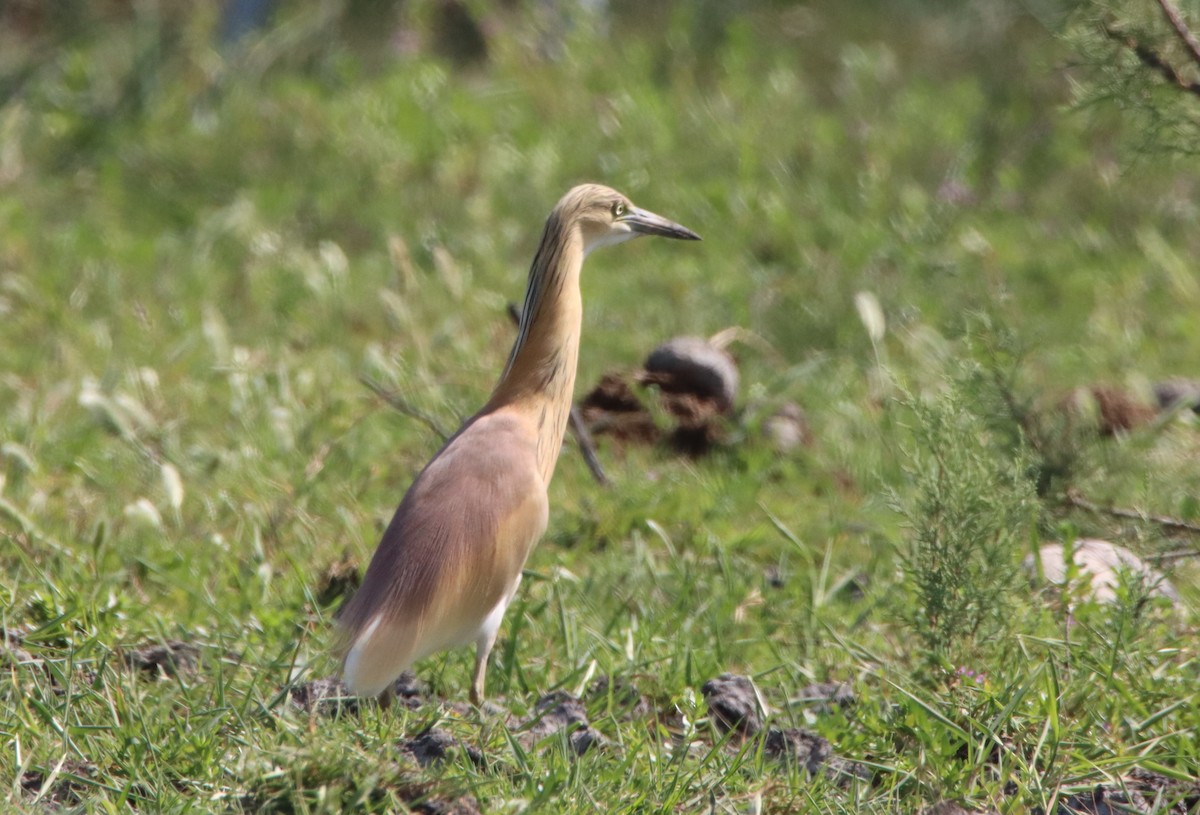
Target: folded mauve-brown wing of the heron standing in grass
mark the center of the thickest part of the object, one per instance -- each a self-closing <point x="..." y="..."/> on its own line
<point x="453" y="552"/>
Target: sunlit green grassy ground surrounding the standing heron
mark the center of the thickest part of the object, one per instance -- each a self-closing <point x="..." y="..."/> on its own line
<point x="202" y="255"/>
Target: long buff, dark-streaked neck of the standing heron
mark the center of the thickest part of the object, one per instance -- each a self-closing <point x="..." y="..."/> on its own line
<point x="539" y="379"/>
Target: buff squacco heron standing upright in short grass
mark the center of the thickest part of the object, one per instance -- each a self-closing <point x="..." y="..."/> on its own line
<point x="451" y="561"/>
